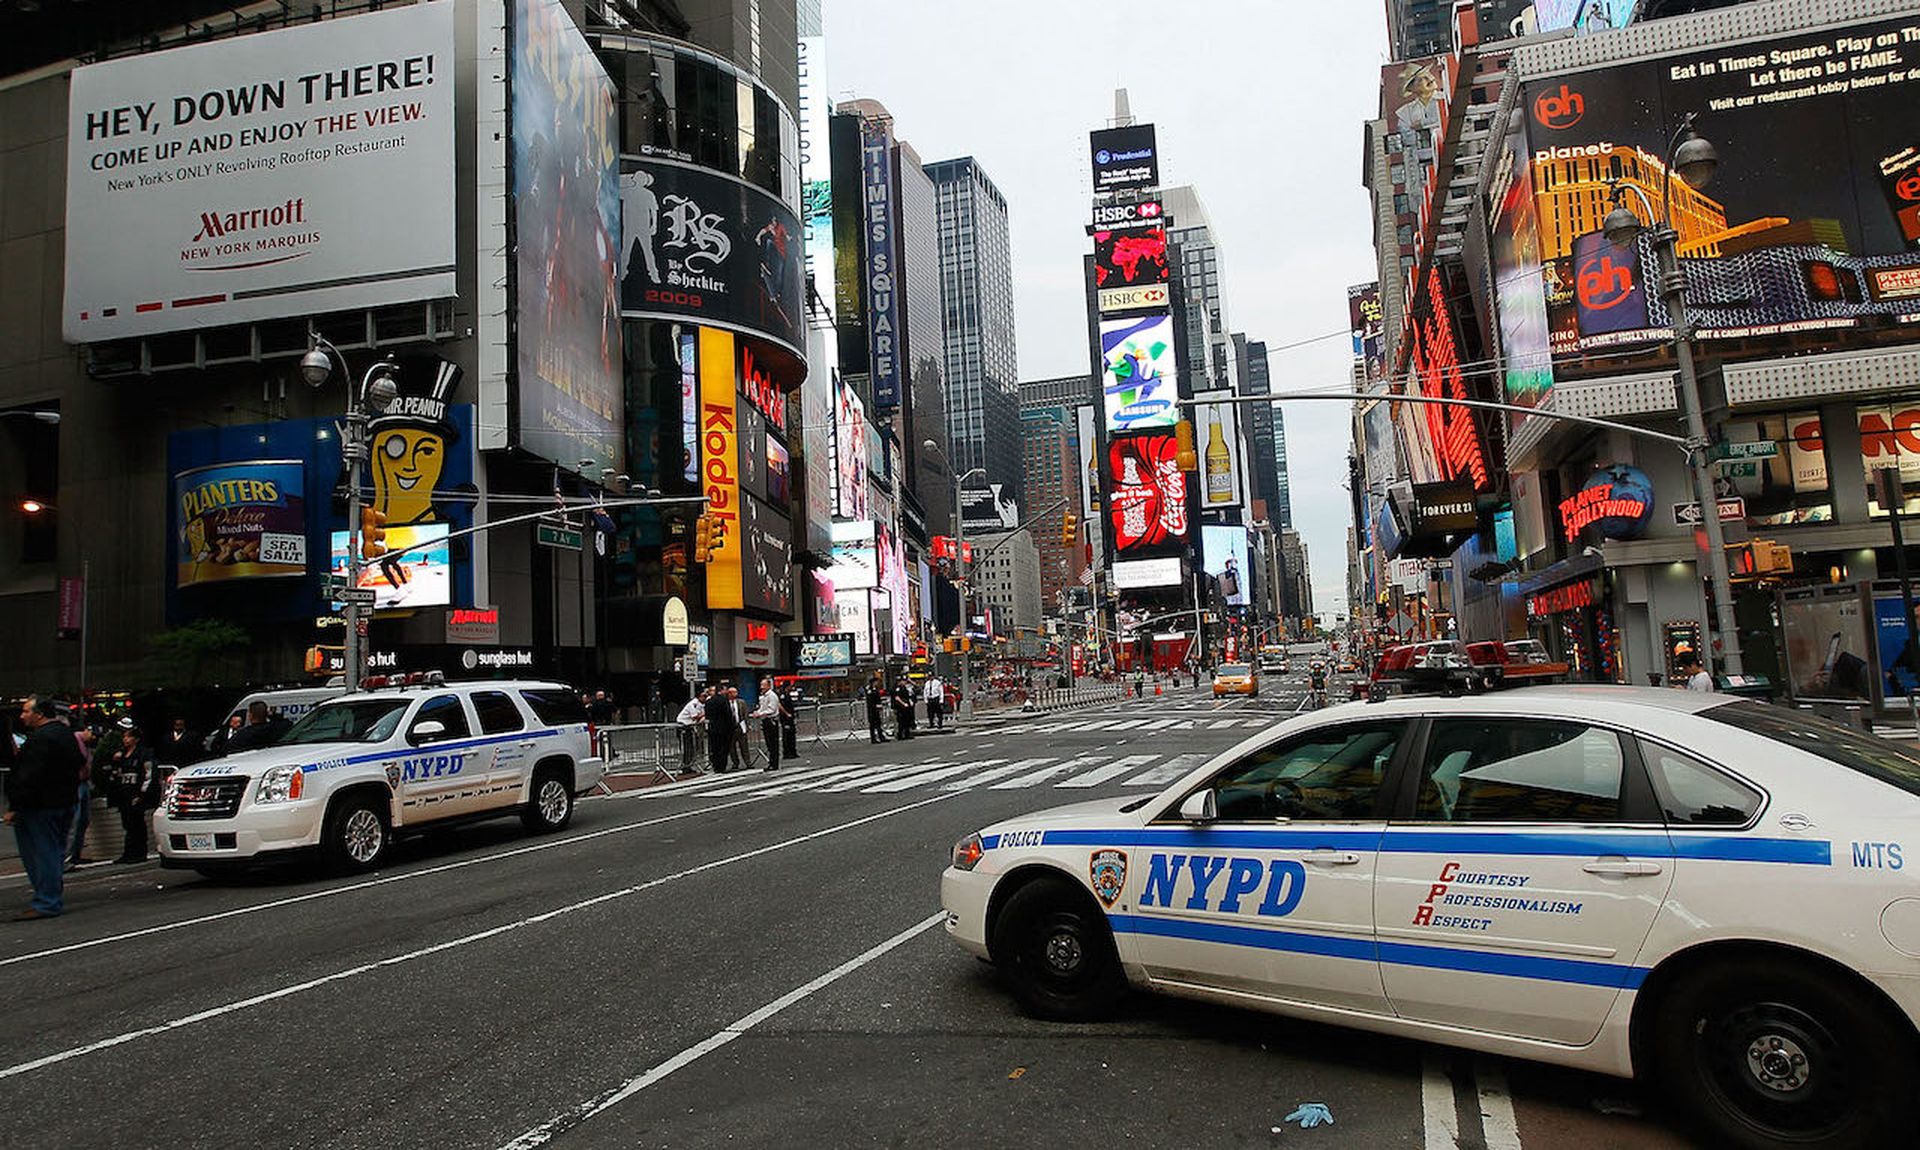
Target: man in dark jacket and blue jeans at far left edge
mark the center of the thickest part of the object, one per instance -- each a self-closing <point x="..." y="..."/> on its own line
<point x="39" y="794"/>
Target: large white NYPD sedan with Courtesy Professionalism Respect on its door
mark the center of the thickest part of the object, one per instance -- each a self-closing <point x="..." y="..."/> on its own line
<point x="1706" y="892"/>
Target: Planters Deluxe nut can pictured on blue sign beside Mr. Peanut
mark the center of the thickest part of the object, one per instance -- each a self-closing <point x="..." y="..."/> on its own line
<point x="241" y="521"/>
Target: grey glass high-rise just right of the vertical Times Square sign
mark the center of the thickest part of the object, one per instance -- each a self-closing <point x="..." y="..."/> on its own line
<point x="978" y="302"/>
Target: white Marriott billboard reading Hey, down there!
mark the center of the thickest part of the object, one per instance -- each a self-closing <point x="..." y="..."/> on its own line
<point x="270" y="193"/>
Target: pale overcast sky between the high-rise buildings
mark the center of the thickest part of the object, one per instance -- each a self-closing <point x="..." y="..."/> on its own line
<point x="1257" y="105"/>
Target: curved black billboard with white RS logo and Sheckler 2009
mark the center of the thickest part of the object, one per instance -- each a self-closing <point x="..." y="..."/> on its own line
<point x="704" y="247"/>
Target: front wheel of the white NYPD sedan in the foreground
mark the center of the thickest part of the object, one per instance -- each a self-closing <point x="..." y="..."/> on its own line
<point x="1053" y="946"/>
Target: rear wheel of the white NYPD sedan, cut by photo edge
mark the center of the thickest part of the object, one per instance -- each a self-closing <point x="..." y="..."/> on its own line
<point x="1777" y="1053"/>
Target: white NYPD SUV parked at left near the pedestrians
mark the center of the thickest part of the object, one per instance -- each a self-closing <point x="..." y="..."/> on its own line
<point x="360" y="769"/>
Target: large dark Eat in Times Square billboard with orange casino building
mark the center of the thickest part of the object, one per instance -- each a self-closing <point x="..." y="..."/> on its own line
<point x="1810" y="235"/>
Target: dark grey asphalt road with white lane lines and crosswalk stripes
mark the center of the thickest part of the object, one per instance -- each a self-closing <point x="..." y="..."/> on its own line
<point x="738" y="961"/>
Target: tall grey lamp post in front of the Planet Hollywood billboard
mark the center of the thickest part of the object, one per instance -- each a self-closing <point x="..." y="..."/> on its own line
<point x="1696" y="164"/>
